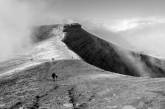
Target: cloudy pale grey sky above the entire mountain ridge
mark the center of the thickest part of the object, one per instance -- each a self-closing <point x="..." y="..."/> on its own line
<point x="134" y="24"/>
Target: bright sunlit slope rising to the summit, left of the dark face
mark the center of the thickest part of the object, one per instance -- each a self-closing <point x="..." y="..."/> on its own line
<point x="44" y="49"/>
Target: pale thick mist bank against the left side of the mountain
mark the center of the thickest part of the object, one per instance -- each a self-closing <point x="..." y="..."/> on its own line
<point x="15" y="20"/>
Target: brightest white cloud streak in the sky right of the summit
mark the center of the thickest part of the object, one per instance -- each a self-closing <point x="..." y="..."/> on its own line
<point x="120" y="25"/>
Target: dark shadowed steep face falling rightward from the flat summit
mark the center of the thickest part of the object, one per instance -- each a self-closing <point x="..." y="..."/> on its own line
<point x="110" y="57"/>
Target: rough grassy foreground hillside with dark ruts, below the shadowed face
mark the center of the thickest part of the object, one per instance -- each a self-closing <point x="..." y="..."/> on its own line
<point x="78" y="86"/>
